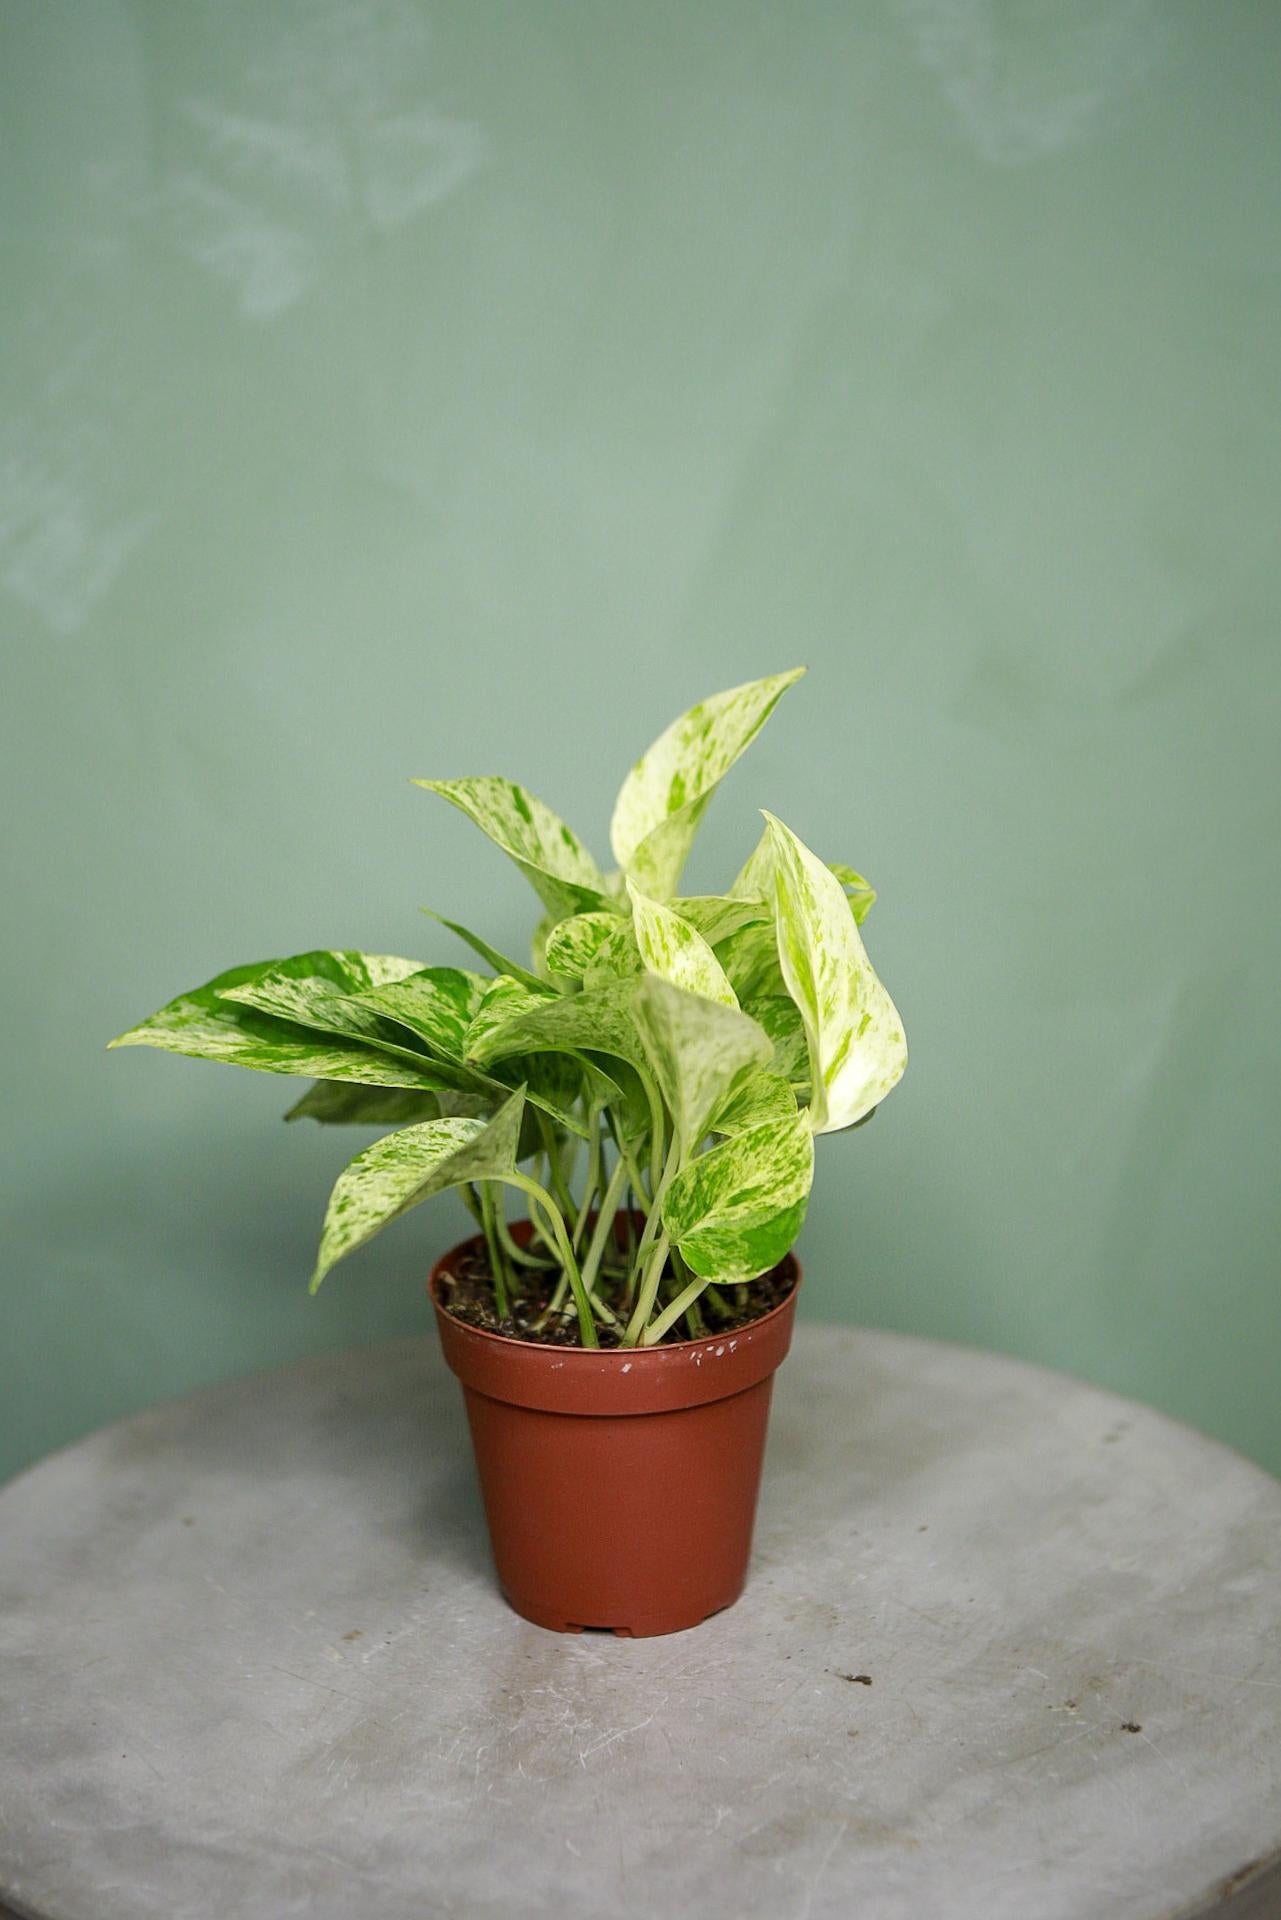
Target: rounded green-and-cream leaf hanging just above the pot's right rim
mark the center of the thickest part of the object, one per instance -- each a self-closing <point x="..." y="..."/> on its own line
<point x="737" y="1209"/>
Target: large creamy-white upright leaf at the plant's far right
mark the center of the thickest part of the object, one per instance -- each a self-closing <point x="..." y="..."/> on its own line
<point x="854" y="1030"/>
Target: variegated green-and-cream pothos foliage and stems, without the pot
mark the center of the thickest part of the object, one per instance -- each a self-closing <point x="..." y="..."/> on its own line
<point x="673" y="1055"/>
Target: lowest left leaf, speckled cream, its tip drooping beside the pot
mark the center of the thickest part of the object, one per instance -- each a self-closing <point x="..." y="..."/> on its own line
<point x="410" y="1166"/>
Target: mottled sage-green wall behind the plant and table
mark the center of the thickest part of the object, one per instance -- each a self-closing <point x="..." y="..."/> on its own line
<point x="399" y="389"/>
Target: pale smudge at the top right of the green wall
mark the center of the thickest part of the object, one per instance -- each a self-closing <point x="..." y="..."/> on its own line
<point x="1036" y="76"/>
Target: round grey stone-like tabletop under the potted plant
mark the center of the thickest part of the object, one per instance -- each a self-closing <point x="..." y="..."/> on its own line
<point x="1009" y="1650"/>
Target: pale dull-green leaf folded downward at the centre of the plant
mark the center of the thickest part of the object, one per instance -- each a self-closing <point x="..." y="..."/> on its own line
<point x="698" y="1051"/>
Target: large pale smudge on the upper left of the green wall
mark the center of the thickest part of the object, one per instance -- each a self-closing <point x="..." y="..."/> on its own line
<point x="329" y="132"/>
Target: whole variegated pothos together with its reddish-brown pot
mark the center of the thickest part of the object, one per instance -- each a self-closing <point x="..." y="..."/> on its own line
<point x="650" y="1088"/>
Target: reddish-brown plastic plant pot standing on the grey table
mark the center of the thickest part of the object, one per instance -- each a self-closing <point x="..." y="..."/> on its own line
<point x="619" y="1487"/>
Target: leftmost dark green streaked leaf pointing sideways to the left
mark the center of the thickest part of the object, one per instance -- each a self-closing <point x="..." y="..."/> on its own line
<point x="208" y="1026"/>
